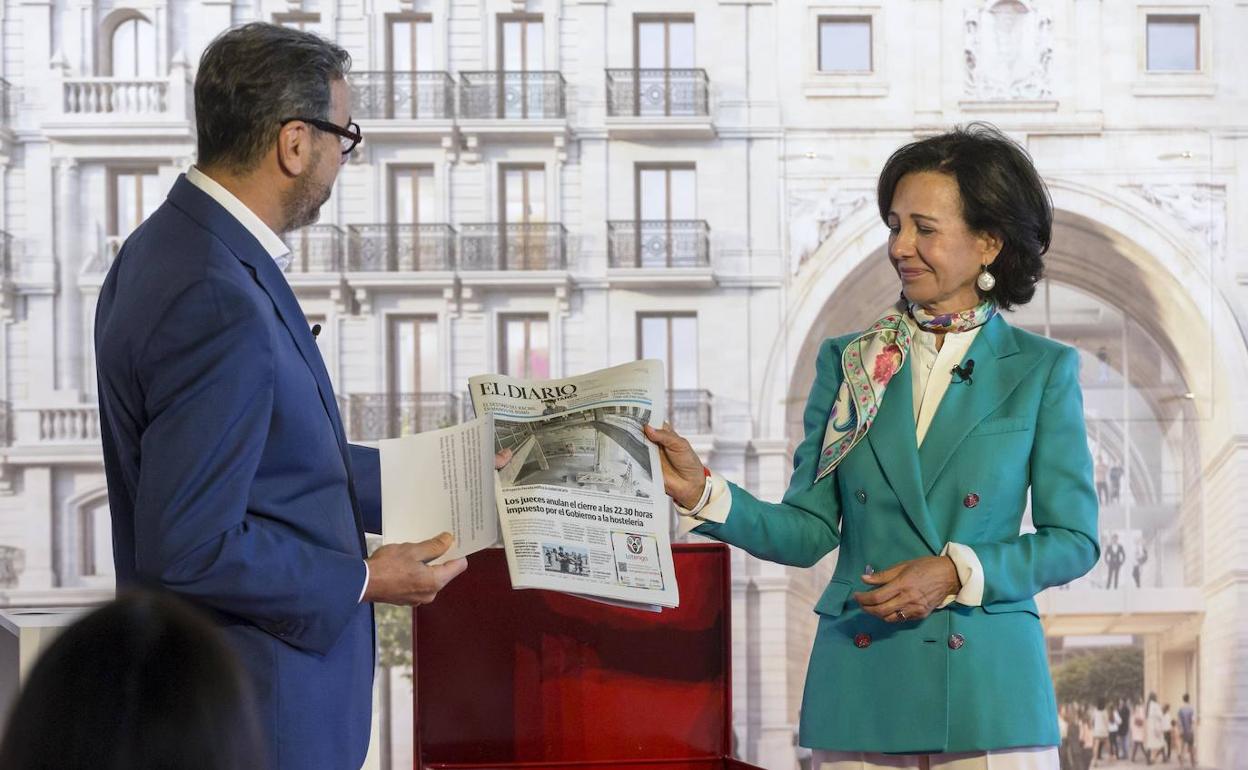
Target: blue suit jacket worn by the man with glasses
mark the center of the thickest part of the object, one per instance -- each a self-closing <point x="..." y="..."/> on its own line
<point x="230" y="479"/>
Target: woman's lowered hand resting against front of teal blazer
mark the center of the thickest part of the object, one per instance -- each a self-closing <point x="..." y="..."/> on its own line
<point x="910" y="591"/>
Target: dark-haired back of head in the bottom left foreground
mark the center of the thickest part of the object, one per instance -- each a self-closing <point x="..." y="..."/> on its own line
<point x="139" y="685"/>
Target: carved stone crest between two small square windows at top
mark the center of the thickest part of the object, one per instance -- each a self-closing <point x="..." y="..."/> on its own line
<point x="1009" y="52"/>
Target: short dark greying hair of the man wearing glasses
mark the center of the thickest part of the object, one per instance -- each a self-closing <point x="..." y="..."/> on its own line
<point x="250" y="79"/>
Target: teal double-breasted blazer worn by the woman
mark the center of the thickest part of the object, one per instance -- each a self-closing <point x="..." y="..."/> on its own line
<point x="965" y="678"/>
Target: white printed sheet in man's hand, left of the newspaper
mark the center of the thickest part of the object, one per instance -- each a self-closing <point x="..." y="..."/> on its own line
<point x="441" y="481"/>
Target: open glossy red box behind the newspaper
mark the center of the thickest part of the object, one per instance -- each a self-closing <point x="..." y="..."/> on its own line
<point x="540" y="680"/>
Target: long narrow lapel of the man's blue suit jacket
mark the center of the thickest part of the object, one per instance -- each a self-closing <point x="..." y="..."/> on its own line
<point x="202" y="208"/>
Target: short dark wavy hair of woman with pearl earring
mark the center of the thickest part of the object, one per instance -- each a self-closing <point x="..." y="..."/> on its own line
<point x="1002" y="195"/>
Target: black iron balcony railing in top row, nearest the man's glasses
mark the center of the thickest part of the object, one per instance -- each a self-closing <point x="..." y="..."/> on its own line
<point x="402" y="95"/>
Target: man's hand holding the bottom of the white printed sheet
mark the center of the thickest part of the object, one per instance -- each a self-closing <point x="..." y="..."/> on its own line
<point x="399" y="573"/>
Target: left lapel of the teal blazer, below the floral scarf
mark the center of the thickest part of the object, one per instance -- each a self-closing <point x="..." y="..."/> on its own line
<point x="893" y="440"/>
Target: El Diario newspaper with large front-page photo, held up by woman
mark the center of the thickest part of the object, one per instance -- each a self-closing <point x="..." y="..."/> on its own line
<point x="581" y="505"/>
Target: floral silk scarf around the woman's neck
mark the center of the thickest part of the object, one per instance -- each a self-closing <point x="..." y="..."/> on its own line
<point x="870" y="361"/>
